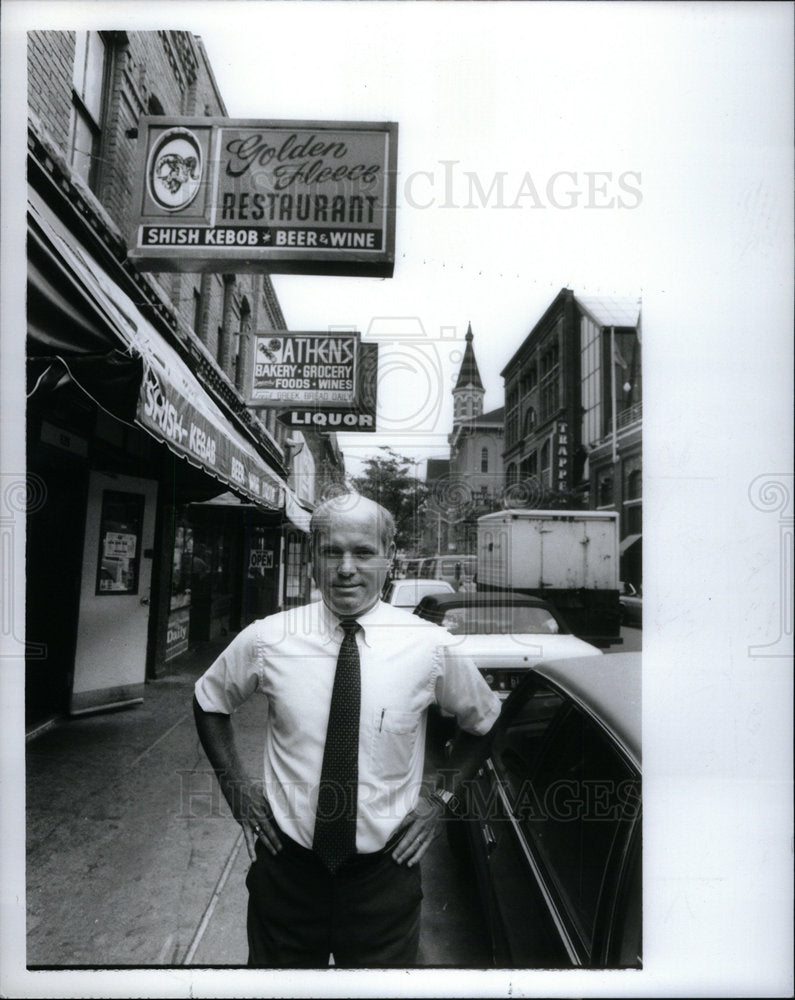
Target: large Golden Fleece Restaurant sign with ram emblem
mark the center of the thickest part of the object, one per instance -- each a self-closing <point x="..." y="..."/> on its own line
<point x="221" y="194"/>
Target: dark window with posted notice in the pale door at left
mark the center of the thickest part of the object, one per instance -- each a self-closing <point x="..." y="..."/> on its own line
<point x="120" y="530"/>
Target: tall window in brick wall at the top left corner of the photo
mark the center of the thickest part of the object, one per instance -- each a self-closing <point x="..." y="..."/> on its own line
<point x="88" y="86"/>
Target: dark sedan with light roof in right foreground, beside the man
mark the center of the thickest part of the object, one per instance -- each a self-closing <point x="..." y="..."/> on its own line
<point x="552" y="824"/>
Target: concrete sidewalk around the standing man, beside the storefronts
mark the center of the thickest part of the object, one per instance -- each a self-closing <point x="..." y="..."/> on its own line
<point x="133" y="858"/>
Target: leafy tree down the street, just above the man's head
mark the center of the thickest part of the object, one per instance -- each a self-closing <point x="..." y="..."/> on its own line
<point x="390" y="480"/>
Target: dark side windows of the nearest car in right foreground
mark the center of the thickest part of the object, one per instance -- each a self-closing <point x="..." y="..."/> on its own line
<point x="575" y="797"/>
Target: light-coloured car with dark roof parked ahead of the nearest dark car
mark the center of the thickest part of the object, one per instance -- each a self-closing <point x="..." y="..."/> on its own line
<point x="504" y="633"/>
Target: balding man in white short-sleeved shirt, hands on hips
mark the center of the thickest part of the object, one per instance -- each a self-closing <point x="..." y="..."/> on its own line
<point x="338" y="825"/>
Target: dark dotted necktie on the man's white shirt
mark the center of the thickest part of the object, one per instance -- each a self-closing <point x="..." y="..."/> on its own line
<point x="335" y="819"/>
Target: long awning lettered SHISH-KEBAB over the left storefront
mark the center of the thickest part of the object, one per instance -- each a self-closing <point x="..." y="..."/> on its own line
<point x="81" y="319"/>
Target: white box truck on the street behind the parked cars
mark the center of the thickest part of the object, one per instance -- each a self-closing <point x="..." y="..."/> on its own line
<point x="570" y="558"/>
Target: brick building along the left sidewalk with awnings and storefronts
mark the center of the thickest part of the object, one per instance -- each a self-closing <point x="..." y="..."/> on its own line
<point x="163" y="499"/>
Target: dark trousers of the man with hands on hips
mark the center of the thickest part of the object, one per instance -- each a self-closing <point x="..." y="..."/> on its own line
<point x="367" y="915"/>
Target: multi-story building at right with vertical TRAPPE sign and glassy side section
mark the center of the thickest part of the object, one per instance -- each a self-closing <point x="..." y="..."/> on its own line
<point x="573" y="427"/>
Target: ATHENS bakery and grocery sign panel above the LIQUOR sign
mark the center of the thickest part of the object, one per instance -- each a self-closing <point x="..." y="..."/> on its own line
<point x="303" y="368"/>
